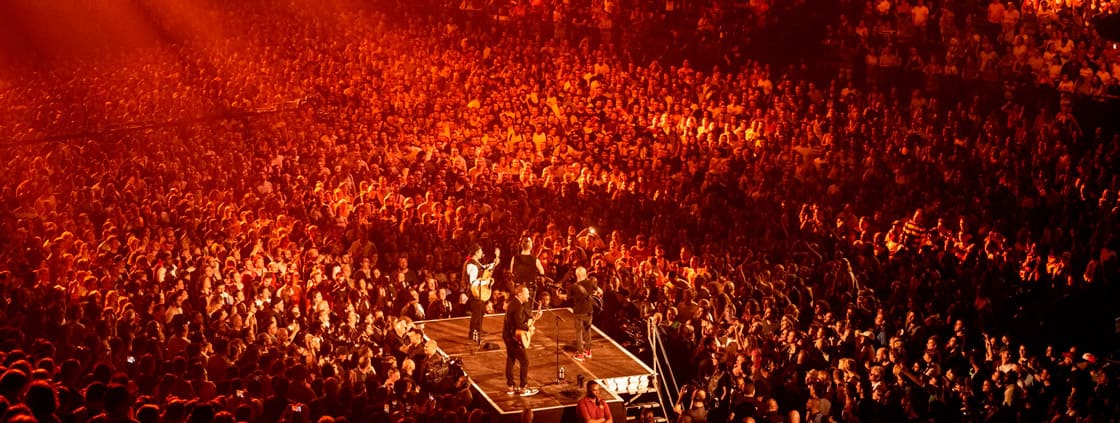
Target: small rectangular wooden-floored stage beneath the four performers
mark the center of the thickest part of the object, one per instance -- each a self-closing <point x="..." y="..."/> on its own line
<point x="620" y="372"/>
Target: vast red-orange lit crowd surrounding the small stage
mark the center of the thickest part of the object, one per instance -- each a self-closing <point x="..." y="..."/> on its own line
<point x="249" y="229"/>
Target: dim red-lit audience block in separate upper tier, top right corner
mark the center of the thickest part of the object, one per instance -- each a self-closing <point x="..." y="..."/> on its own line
<point x="1051" y="44"/>
